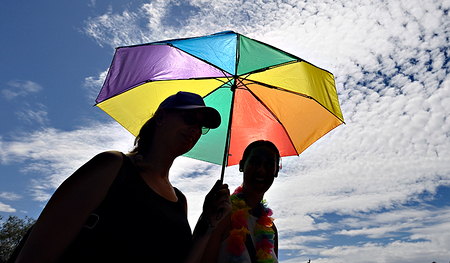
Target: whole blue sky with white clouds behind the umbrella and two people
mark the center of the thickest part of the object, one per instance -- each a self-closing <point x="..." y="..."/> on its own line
<point x="373" y="190"/>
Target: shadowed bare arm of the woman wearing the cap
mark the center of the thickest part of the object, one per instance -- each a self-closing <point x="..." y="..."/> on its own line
<point x="69" y="207"/>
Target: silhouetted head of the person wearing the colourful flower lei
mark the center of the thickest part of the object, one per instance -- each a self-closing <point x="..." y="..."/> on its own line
<point x="260" y="164"/>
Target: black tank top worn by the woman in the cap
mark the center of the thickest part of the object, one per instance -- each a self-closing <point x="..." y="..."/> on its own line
<point x="134" y="224"/>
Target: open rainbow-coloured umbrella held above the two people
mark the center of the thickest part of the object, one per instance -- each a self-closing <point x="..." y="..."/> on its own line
<point x="261" y="92"/>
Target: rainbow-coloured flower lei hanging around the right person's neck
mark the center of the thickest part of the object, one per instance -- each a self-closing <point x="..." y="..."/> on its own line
<point x="263" y="231"/>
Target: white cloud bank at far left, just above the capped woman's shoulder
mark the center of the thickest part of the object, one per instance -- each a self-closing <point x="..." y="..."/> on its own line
<point x="53" y="155"/>
